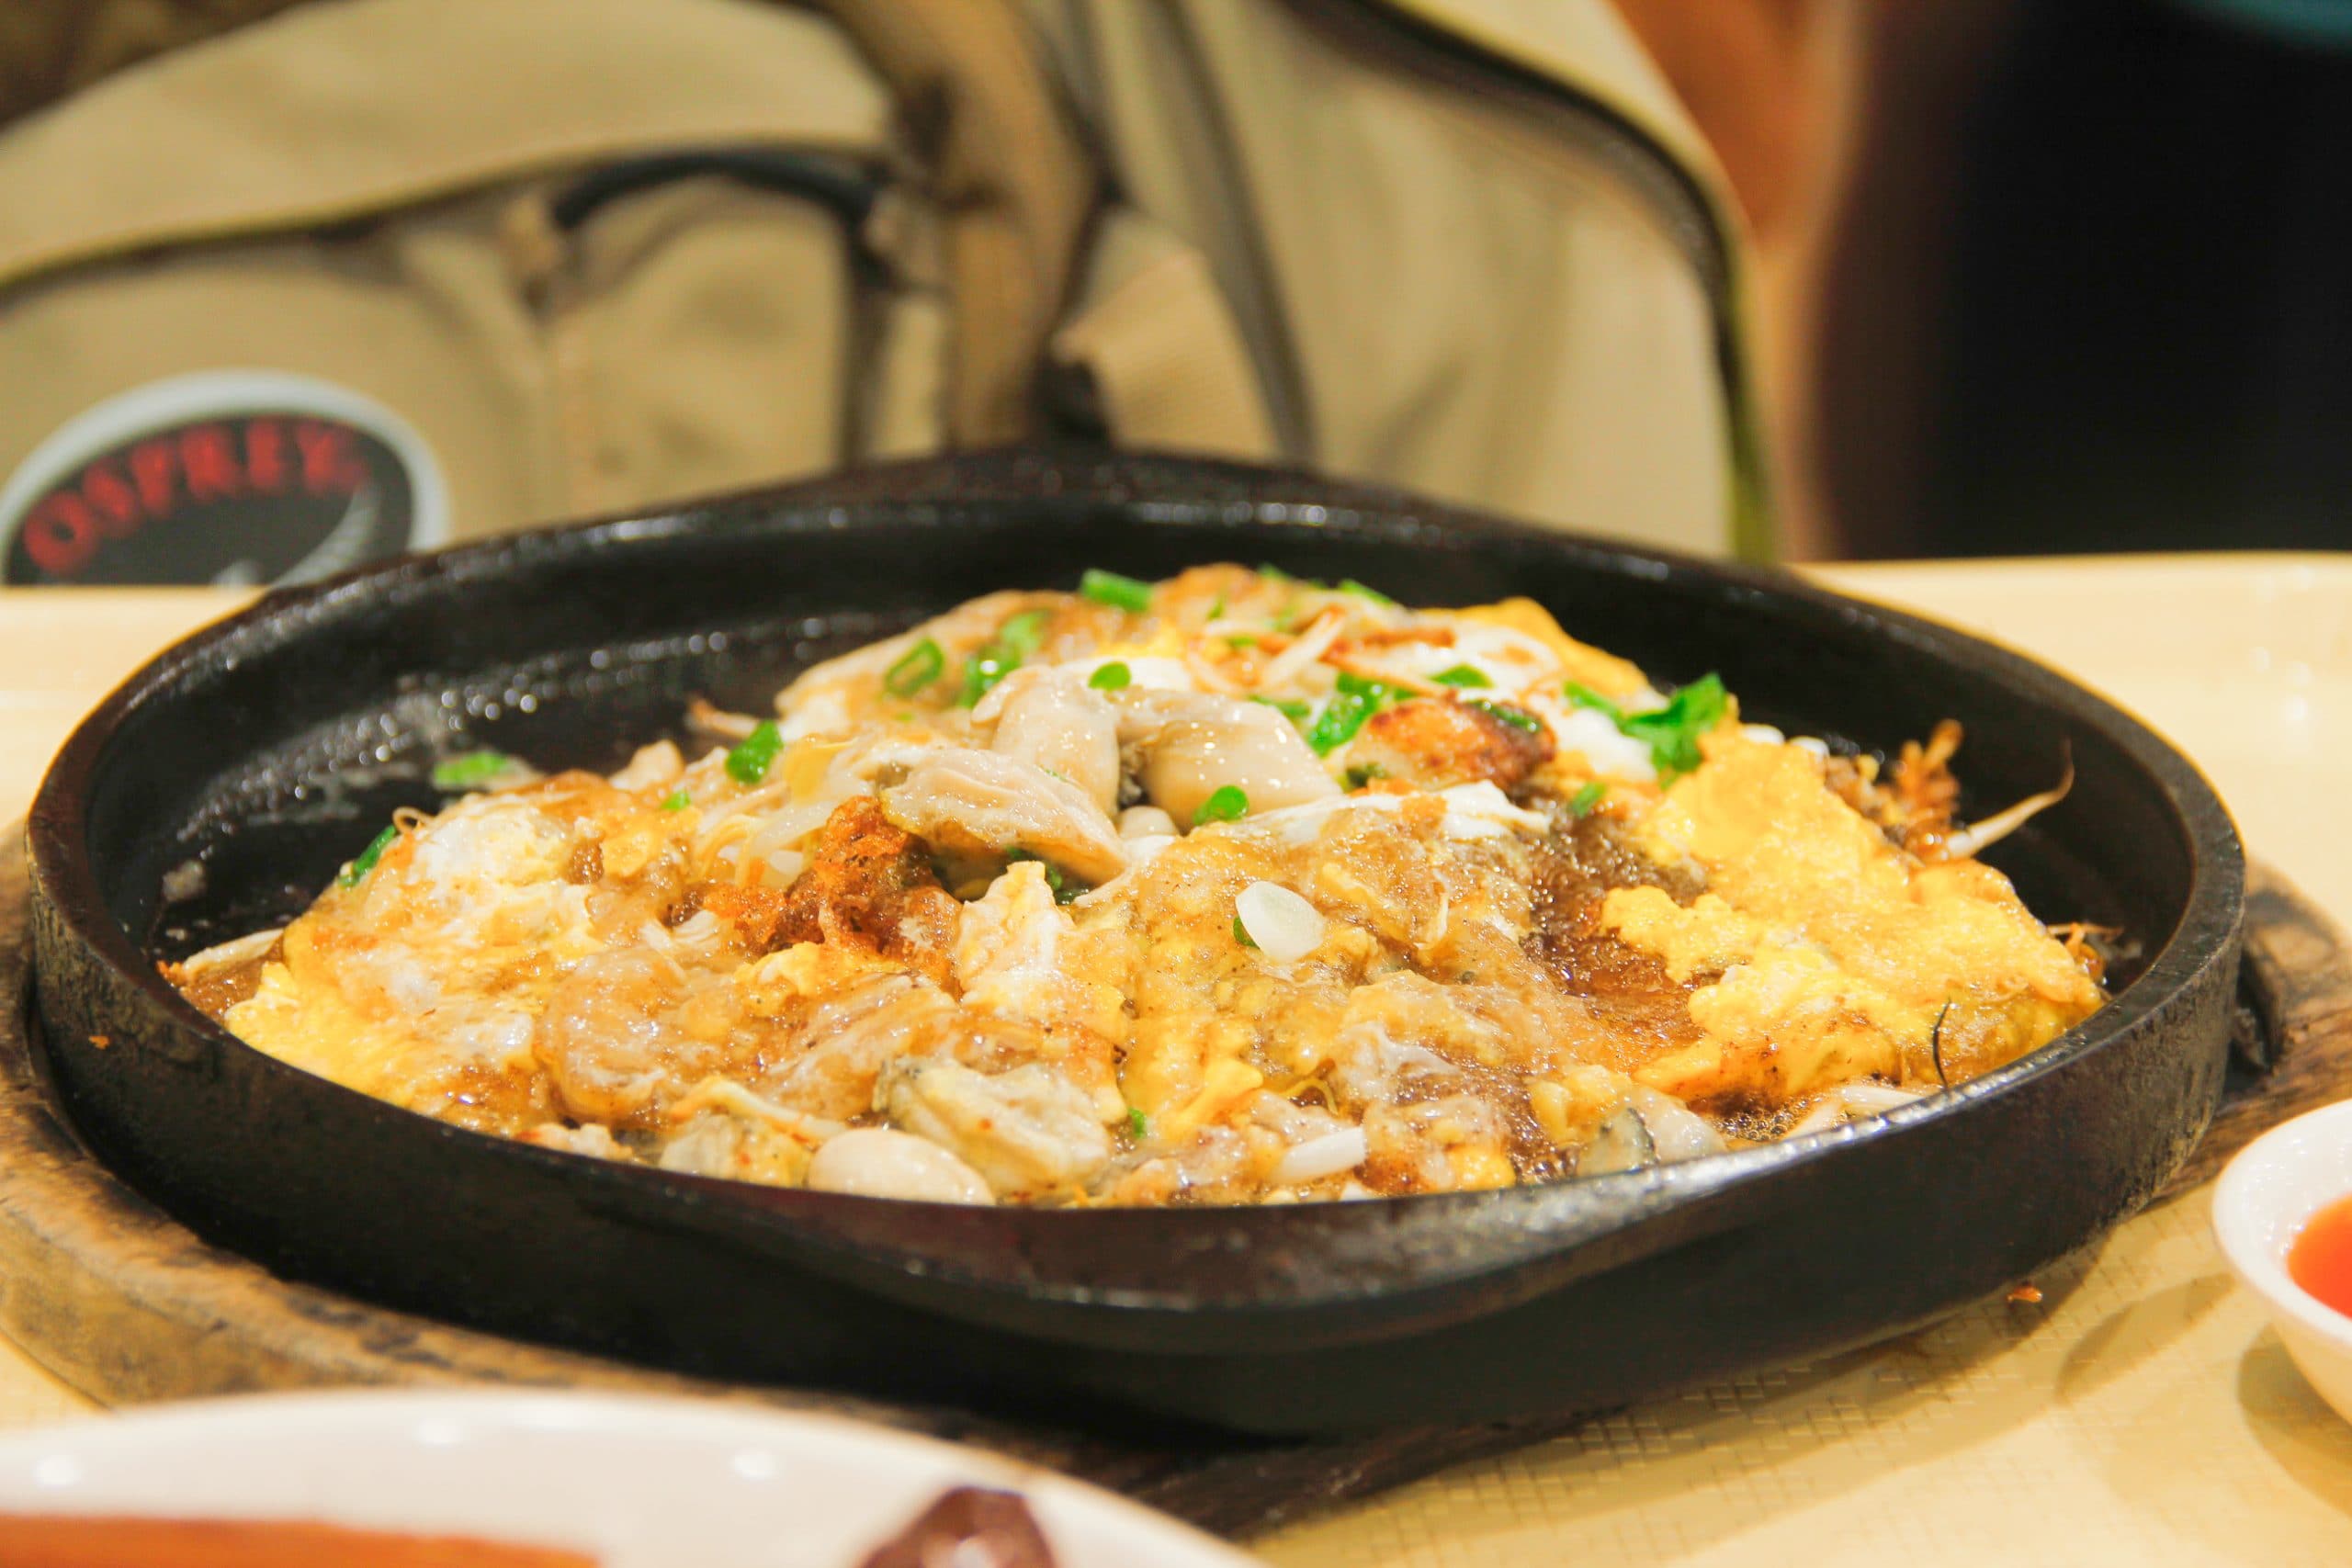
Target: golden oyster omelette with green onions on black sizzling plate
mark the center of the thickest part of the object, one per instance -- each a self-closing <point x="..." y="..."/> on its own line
<point x="1224" y="890"/>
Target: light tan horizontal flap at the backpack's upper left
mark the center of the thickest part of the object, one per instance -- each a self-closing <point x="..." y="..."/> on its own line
<point x="366" y="107"/>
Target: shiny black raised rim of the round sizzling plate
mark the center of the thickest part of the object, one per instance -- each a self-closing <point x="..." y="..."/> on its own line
<point x="1553" y="1245"/>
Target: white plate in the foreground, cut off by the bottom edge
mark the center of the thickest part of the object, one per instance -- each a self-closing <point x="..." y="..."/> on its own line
<point x="636" y="1482"/>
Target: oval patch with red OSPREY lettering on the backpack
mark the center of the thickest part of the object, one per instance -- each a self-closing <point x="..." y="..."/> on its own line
<point x="222" y="478"/>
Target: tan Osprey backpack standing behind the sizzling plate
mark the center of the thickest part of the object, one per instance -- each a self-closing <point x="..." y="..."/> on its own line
<point x="298" y="283"/>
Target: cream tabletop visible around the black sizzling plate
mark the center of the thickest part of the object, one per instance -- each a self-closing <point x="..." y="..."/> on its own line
<point x="2139" y="1414"/>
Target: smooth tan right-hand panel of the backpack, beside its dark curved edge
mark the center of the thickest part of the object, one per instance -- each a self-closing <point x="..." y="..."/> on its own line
<point x="1441" y="293"/>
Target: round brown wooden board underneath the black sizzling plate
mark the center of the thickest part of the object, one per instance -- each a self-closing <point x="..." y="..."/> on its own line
<point x="126" y="1306"/>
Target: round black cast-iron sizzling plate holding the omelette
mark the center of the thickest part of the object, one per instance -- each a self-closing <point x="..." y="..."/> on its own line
<point x="272" y="749"/>
